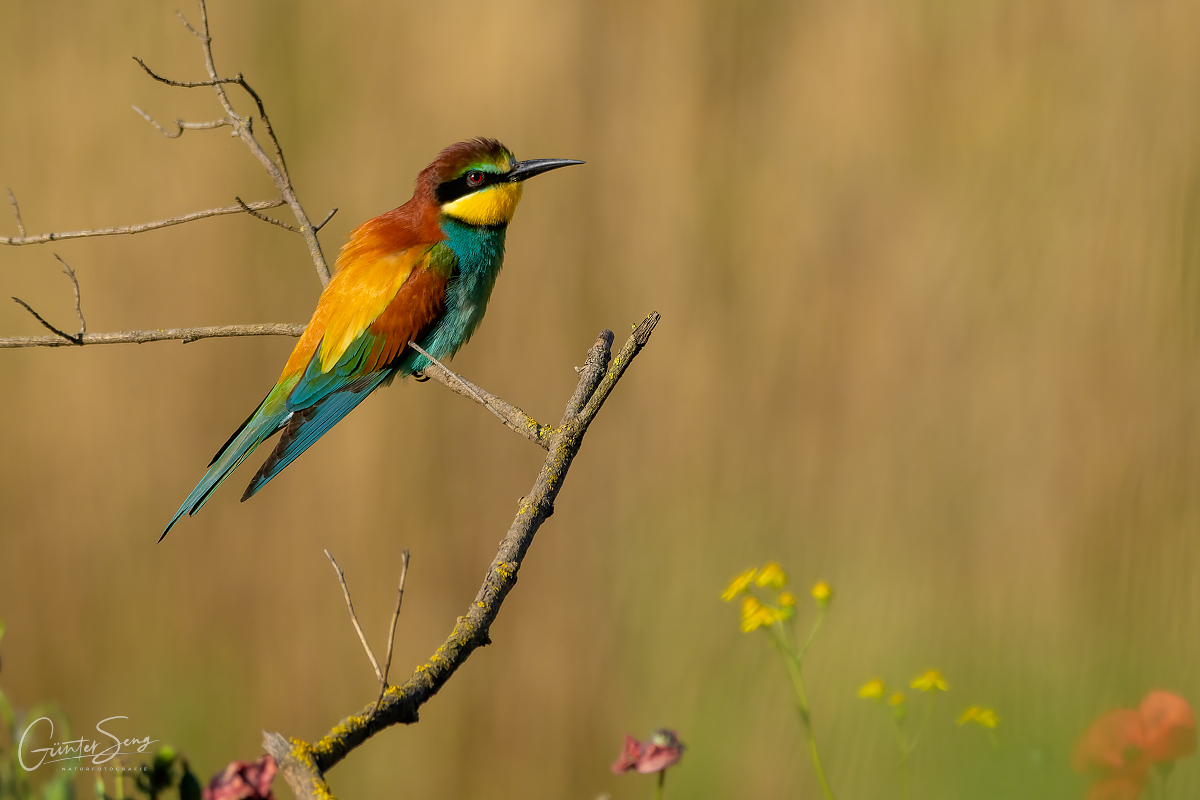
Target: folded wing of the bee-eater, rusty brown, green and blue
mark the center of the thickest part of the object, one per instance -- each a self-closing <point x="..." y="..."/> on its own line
<point x="363" y="348"/>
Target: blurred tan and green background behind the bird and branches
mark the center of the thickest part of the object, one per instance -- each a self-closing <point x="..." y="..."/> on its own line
<point x="929" y="275"/>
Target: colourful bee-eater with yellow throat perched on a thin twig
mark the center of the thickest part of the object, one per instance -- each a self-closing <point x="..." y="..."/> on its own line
<point x="422" y="273"/>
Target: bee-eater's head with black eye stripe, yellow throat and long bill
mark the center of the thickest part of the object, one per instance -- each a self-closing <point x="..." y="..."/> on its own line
<point x="479" y="183"/>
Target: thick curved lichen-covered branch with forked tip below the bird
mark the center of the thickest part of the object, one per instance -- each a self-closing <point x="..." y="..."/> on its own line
<point x="304" y="765"/>
